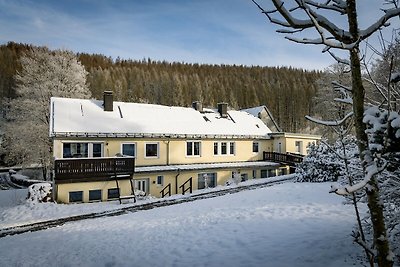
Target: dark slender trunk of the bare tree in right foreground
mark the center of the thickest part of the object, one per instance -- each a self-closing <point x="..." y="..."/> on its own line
<point x="374" y="205"/>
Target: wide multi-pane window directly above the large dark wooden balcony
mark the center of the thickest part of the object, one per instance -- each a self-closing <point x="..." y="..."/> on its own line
<point x="83" y="150"/>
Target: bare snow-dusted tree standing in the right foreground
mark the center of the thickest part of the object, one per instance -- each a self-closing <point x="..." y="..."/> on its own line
<point x="301" y="16"/>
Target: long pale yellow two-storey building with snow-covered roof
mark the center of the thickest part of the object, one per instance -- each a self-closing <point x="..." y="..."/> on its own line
<point x="105" y="149"/>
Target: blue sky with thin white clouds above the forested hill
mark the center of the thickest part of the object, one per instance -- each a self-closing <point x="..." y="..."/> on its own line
<point x="193" y="31"/>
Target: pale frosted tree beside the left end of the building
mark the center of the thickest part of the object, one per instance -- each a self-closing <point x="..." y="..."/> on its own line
<point x="44" y="74"/>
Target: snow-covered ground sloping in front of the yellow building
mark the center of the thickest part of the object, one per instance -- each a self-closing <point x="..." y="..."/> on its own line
<point x="290" y="224"/>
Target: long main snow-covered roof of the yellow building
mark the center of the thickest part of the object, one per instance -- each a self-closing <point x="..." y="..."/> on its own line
<point x="84" y="117"/>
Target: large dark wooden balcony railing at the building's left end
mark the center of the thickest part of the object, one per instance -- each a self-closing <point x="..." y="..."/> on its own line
<point x="76" y="169"/>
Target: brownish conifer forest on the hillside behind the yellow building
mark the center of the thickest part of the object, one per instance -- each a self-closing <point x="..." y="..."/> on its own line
<point x="287" y="92"/>
